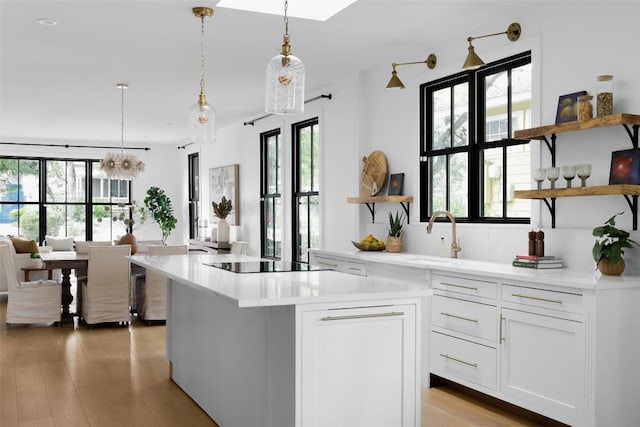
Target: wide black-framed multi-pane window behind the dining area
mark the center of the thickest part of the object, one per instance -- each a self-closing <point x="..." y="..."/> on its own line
<point x="41" y="197"/>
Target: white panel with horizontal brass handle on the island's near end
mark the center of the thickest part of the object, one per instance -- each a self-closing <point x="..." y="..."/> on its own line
<point x="359" y="367"/>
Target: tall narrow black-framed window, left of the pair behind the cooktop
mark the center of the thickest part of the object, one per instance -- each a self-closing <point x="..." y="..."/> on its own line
<point x="271" y="197"/>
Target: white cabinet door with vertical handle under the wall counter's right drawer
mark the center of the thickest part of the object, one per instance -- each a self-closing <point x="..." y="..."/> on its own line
<point x="543" y="363"/>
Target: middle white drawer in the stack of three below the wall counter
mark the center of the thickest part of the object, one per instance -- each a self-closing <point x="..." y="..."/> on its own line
<point x="478" y="320"/>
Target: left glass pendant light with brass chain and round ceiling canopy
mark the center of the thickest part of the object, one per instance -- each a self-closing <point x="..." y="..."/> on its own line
<point x="202" y="118"/>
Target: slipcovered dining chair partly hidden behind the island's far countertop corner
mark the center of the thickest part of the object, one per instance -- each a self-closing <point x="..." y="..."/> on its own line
<point x="151" y="293"/>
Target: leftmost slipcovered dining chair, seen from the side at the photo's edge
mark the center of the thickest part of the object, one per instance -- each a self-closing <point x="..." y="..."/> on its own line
<point x="36" y="301"/>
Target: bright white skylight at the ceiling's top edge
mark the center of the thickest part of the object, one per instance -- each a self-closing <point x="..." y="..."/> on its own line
<point x="319" y="10"/>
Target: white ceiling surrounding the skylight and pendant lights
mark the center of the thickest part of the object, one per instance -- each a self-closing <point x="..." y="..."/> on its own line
<point x="58" y="83"/>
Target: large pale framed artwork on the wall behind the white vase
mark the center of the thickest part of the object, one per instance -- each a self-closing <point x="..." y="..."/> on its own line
<point x="224" y="181"/>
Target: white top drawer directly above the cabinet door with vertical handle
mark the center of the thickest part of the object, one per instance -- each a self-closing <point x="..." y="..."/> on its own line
<point x="562" y="301"/>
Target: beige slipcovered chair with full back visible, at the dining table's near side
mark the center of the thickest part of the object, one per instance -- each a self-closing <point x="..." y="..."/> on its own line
<point x="105" y="292"/>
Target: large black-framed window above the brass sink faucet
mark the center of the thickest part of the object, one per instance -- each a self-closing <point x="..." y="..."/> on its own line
<point x="470" y="164"/>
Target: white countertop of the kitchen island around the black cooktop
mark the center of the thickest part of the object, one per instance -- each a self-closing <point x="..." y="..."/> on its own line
<point x="272" y="289"/>
